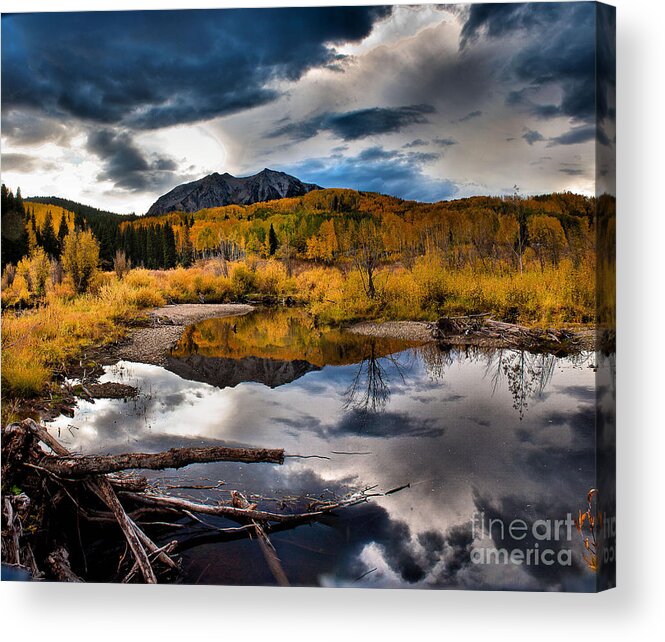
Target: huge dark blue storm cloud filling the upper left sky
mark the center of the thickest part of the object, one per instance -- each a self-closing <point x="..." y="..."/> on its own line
<point x="152" y="69"/>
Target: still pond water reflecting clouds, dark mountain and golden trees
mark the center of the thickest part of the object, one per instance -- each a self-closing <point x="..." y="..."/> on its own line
<point x="507" y="433"/>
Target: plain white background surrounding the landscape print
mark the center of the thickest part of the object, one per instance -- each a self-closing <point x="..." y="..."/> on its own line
<point x="632" y="611"/>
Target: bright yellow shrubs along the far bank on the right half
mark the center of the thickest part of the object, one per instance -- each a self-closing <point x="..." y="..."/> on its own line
<point x="555" y="296"/>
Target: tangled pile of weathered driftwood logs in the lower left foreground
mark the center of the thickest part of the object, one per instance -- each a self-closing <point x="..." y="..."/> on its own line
<point x="87" y="480"/>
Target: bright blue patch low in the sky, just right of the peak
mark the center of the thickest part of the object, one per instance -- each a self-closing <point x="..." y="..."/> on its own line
<point x="375" y="169"/>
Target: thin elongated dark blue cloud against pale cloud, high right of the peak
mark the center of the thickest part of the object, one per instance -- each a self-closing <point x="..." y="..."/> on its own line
<point x="353" y="125"/>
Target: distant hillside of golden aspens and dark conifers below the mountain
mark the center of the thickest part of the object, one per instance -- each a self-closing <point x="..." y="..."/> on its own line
<point x="325" y="227"/>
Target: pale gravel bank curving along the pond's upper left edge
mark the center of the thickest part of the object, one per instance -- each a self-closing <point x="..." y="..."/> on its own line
<point x="151" y="345"/>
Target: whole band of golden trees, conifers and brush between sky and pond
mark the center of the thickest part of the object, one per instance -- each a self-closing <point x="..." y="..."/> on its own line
<point x="84" y="274"/>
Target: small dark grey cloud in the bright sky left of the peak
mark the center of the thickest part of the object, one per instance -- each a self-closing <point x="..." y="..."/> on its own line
<point x="127" y="166"/>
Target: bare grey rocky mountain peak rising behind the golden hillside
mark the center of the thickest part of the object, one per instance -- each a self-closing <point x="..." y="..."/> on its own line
<point x="216" y="190"/>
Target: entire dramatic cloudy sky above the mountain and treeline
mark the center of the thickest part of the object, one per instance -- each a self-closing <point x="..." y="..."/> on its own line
<point x="422" y="102"/>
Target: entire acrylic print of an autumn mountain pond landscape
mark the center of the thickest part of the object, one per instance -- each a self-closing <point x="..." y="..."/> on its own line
<point x="310" y="296"/>
